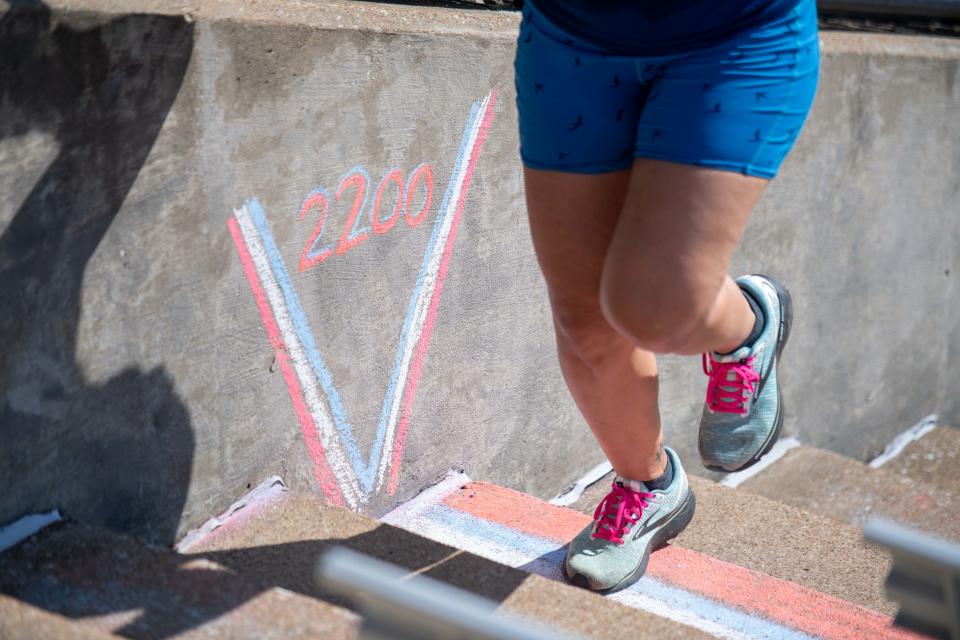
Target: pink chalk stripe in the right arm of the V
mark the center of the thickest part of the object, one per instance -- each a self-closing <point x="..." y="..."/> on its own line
<point x="423" y="344"/>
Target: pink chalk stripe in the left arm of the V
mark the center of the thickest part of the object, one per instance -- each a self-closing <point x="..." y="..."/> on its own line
<point x="322" y="471"/>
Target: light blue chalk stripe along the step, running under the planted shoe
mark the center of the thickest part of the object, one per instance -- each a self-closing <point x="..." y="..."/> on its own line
<point x="546" y="559"/>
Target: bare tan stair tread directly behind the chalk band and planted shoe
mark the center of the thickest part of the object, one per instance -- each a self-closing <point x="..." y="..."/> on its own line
<point x="739" y="528"/>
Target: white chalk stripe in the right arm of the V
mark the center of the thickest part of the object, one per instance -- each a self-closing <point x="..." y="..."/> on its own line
<point x="426" y="294"/>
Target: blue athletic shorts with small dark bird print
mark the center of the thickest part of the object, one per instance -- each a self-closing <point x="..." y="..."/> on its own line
<point x="737" y="106"/>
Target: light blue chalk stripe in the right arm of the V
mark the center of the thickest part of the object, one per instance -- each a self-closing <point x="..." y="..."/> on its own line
<point x="393" y="388"/>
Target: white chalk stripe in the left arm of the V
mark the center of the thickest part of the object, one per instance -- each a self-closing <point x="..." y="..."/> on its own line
<point x="329" y="437"/>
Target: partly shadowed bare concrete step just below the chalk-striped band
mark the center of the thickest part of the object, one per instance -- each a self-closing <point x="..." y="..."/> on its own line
<point x="279" y="541"/>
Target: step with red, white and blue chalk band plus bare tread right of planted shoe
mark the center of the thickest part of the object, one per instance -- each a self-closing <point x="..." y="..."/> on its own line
<point x="689" y="586"/>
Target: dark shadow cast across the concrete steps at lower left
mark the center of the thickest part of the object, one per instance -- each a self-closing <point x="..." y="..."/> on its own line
<point x="104" y="574"/>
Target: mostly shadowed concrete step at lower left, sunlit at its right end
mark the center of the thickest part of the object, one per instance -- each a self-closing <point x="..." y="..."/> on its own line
<point x="111" y="583"/>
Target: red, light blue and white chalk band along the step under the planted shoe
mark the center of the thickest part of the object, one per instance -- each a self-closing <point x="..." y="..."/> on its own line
<point x="690" y="587"/>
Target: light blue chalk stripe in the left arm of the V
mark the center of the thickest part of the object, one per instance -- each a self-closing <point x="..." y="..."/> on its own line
<point x="305" y="336"/>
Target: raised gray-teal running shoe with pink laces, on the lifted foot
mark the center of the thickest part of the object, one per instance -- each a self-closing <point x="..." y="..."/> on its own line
<point x="743" y="413"/>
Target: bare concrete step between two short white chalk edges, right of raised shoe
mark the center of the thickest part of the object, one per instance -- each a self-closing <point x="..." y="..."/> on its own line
<point x="828" y="484"/>
